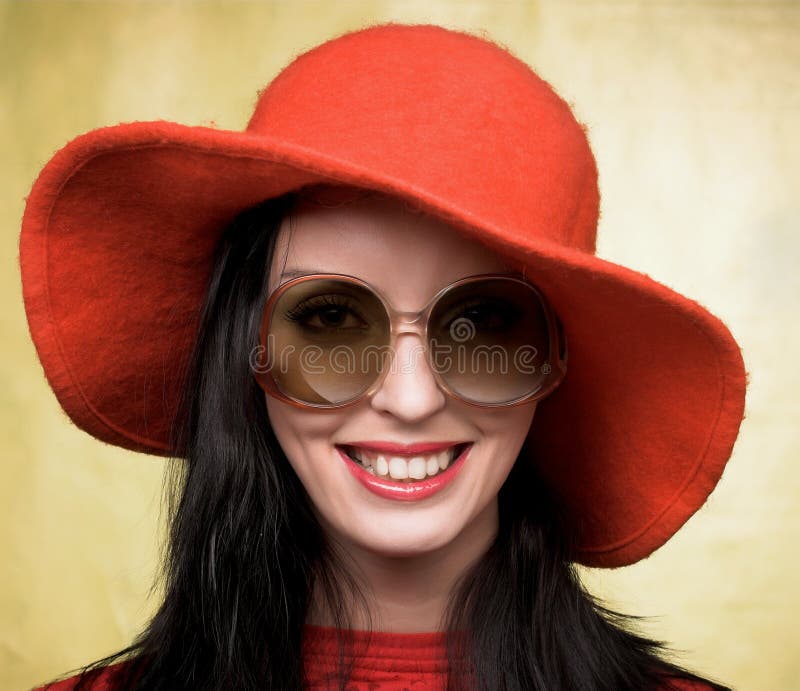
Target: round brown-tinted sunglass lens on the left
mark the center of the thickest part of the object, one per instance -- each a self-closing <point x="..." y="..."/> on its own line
<point x="327" y="341"/>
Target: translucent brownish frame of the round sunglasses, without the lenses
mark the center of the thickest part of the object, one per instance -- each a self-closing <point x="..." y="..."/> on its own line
<point x="417" y="323"/>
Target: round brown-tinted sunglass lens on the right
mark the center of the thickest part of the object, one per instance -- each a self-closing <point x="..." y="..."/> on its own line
<point x="489" y="340"/>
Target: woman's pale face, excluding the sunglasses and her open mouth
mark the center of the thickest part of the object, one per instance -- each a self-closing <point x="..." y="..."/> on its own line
<point x="408" y="257"/>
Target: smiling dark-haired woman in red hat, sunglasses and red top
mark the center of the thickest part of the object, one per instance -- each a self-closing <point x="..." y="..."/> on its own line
<point x="408" y="395"/>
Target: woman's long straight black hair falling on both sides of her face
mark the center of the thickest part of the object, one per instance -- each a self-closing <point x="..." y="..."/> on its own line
<point x="245" y="550"/>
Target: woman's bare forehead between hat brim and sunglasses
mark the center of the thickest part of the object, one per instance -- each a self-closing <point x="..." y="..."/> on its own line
<point x="379" y="239"/>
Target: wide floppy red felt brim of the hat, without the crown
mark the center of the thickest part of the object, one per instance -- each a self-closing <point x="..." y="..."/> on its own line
<point x="116" y="250"/>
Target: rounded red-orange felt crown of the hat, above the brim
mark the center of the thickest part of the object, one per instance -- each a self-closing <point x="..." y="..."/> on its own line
<point x="446" y="112"/>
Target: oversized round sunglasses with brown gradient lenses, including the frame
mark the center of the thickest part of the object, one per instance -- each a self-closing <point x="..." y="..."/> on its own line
<point x="329" y="341"/>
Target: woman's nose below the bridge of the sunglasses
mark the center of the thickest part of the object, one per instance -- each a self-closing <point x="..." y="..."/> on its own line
<point x="409" y="390"/>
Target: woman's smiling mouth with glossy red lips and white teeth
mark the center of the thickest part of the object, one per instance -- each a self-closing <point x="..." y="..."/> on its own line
<point x="404" y="477"/>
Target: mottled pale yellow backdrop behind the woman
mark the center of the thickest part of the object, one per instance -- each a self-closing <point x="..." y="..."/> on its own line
<point x="692" y="108"/>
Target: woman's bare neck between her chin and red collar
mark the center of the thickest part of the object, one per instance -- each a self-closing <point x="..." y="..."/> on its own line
<point x="408" y="593"/>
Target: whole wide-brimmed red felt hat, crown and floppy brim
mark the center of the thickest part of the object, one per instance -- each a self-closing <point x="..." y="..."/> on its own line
<point x="120" y="227"/>
